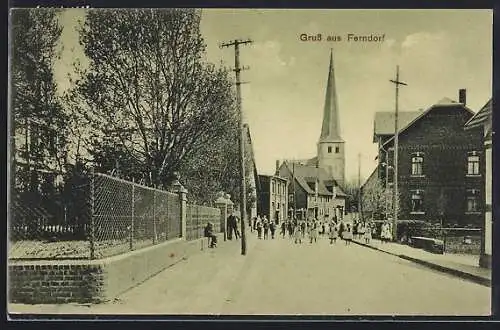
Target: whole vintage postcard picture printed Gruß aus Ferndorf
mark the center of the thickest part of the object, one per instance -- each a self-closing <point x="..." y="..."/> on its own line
<point x="250" y="162"/>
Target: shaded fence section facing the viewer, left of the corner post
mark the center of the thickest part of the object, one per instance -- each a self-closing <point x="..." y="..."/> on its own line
<point x="49" y="220"/>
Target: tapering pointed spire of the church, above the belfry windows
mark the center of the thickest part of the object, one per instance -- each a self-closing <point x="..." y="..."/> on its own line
<point x="330" y="130"/>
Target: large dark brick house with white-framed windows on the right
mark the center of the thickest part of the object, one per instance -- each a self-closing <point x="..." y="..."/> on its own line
<point x="440" y="165"/>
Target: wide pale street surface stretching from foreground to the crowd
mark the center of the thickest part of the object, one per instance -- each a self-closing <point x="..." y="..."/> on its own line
<point x="279" y="277"/>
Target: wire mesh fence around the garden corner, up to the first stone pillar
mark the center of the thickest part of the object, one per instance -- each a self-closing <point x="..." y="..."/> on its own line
<point x="92" y="215"/>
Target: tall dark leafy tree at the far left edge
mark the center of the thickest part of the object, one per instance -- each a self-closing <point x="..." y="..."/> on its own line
<point x="38" y="121"/>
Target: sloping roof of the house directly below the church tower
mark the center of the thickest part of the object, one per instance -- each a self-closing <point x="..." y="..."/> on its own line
<point x="306" y="175"/>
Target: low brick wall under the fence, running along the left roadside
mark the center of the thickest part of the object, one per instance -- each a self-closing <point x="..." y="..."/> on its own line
<point x="85" y="281"/>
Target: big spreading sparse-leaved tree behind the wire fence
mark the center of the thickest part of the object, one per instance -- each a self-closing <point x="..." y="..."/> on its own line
<point x="148" y="90"/>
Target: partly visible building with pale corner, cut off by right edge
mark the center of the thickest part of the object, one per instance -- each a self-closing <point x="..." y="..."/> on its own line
<point x="483" y="120"/>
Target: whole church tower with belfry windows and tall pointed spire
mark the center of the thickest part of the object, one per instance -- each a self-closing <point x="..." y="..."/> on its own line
<point x="331" y="156"/>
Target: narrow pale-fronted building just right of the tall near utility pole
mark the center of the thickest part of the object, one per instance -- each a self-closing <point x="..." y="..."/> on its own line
<point x="273" y="198"/>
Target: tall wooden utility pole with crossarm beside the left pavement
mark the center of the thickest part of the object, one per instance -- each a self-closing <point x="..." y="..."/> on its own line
<point x="237" y="69"/>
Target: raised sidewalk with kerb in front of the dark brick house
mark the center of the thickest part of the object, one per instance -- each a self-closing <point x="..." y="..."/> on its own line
<point x="463" y="266"/>
